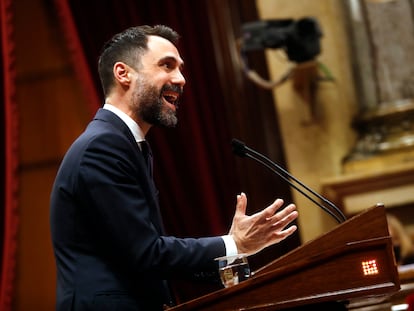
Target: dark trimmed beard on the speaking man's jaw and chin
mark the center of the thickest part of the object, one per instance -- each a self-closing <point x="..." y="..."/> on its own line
<point x="151" y="107"/>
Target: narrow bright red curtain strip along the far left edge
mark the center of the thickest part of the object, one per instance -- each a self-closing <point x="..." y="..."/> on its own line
<point x="9" y="157"/>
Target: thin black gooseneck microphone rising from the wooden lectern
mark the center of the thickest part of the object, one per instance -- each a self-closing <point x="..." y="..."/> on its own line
<point x="240" y="149"/>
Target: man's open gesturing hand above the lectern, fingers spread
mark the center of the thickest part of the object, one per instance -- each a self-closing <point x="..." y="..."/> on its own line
<point x="256" y="232"/>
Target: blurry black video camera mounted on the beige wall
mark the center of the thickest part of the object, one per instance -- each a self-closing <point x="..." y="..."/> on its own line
<point x="300" y="38"/>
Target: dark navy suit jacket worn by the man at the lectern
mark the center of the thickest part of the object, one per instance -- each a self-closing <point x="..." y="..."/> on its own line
<point x="106" y="229"/>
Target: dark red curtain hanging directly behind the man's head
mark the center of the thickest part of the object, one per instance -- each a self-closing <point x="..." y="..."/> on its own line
<point x="194" y="165"/>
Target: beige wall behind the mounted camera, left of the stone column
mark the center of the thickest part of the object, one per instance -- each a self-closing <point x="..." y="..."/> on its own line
<point x="315" y="129"/>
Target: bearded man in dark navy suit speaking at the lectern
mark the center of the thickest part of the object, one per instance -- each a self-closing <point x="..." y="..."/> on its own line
<point x="111" y="251"/>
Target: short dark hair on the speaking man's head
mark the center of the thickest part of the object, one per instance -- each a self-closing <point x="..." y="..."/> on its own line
<point x="127" y="47"/>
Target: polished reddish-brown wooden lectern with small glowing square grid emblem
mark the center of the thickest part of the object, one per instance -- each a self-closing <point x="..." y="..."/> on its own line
<point x="352" y="262"/>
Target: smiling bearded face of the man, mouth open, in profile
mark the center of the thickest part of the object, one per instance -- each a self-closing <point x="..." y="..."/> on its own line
<point x="159" y="83"/>
